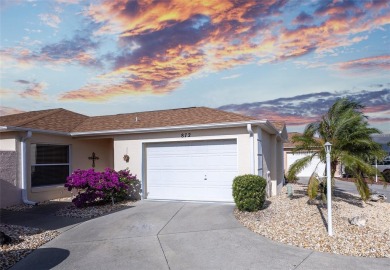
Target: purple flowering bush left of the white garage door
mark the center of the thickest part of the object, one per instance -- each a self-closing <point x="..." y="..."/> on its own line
<point x="100" y="187"/>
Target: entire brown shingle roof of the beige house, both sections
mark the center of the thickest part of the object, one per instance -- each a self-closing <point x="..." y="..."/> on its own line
<point x="66" y="121"/>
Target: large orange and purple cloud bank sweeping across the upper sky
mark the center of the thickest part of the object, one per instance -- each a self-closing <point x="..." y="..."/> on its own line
<point x="225" y="33"/>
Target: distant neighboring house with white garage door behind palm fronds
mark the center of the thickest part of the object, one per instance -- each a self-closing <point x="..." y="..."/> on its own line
<point x="290" y="158"/>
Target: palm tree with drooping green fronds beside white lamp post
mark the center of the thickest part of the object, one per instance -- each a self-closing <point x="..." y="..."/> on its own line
<point x="346" y="128"/>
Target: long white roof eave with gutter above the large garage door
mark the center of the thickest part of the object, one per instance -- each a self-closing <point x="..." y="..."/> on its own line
<point x="263" y="123"/>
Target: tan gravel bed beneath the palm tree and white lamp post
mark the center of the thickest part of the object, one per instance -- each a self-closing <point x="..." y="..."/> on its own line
<point x="294" y="222"/>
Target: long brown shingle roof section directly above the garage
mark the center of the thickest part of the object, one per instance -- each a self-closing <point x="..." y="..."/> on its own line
<point x="164" y="118"/>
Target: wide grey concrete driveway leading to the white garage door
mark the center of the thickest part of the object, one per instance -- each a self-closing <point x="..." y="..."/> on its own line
<point x="178" y="235"/>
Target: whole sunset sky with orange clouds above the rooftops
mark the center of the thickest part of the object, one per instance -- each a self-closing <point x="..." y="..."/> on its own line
<point x="275" y="59"/>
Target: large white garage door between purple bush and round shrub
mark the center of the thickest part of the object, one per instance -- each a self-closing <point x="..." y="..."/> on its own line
<point x="200" y="171"/>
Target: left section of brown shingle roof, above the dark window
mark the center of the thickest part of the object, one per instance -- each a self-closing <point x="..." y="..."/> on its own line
<point x="60" y="120"/>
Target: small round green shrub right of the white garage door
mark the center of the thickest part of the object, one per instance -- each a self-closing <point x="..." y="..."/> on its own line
<point x="249" y="192"/>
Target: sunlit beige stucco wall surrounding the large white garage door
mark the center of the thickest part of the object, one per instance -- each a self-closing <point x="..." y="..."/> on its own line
<point x="134" y="145"/>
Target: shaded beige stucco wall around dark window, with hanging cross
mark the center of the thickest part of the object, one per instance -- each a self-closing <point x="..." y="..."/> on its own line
<point x="80" y="150"/>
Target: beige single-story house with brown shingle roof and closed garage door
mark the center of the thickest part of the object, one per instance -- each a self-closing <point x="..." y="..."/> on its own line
<point x="180" y="154"/>
